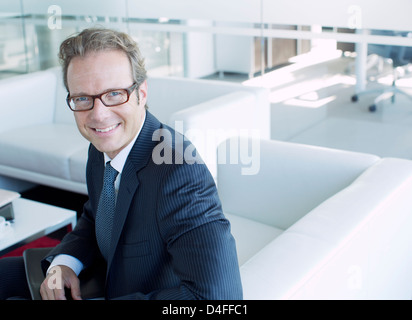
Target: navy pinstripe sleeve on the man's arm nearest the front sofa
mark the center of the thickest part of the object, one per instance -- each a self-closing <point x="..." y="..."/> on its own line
<point x="198" y="238"/>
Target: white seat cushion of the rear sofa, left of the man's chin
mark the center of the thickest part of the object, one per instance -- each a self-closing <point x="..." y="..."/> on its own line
<point x="44" y="149"/>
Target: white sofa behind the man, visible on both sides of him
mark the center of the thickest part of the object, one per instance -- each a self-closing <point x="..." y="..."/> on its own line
<point x="40" y="143"/>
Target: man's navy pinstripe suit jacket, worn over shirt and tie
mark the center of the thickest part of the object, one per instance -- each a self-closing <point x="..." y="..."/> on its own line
<point x="170" y="239"/>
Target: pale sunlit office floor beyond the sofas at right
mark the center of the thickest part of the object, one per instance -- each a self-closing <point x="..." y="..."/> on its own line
<point x="346" y="125"/>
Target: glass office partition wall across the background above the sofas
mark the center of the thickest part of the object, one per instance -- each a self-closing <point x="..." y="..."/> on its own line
<point x="192" y="38"/>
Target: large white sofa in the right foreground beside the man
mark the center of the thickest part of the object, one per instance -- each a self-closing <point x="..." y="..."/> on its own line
<point x="318" y="223"/>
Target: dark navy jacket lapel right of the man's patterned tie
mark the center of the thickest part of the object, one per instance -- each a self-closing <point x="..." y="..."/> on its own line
<point x="137" y="160"/>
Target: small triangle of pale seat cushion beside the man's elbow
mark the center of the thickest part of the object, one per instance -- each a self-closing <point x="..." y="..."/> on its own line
<point x="250" y="236"/>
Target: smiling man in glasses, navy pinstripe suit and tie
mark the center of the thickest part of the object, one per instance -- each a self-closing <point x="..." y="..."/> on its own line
<point x="168" y="238"/>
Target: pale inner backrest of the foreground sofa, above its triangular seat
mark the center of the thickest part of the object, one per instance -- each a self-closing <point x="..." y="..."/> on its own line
<point x="289" y="179"/>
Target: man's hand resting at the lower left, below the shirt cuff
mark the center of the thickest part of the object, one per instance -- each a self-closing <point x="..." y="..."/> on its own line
<point x="58" y="278"/>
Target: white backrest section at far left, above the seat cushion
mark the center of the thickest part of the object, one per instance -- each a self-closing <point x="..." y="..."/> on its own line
<point x="27" y="100"/>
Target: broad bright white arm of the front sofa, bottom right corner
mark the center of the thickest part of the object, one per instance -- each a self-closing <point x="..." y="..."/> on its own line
<point x="355" y="245"/>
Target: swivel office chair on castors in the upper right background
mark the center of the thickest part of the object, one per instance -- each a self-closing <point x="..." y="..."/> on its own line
<point x="399" y="57"/>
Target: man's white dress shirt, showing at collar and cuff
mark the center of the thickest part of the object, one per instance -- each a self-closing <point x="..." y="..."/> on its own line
<point x="118" y="164"/>
